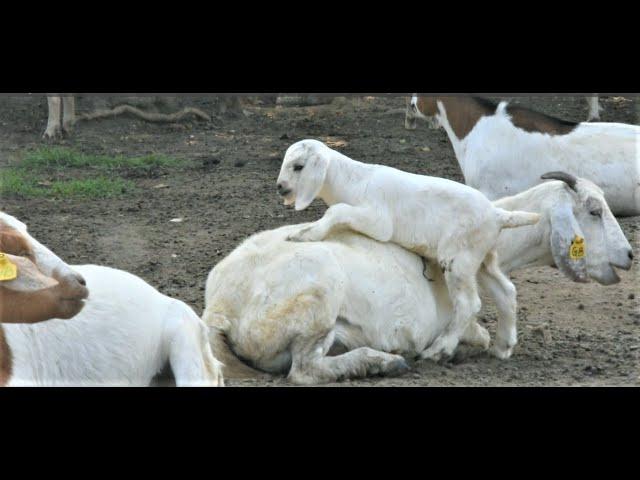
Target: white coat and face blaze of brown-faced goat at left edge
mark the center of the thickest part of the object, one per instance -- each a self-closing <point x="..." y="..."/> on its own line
<point x="125" y="334"/>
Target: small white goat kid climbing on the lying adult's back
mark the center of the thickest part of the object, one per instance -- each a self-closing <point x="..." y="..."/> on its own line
<point x="434" y="217"/>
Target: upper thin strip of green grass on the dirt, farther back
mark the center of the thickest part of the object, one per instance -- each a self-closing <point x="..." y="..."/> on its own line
<point x="59" y="157"/>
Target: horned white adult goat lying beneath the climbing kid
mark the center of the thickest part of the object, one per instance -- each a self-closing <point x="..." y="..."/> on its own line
<point x="283" y="305"/>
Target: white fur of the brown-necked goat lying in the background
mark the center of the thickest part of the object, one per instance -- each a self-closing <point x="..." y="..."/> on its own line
<point x="500" y="159"/>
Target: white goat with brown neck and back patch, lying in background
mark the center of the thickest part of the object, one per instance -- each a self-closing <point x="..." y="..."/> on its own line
<point x="503" y="150"/>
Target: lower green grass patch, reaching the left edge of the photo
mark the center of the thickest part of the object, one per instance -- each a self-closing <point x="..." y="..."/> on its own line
<point x="24" y="184"/>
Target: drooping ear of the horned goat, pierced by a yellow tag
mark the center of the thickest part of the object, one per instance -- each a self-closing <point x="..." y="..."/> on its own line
<point x="565" y="230"/>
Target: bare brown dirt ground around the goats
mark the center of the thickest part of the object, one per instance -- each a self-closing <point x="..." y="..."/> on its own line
<point x="569" y="334"/>
